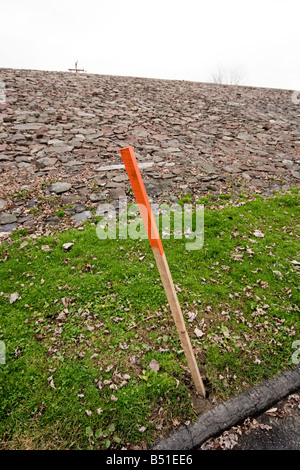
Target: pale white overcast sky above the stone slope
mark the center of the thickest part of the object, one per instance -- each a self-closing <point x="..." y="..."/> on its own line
<point x="185" y="40"/>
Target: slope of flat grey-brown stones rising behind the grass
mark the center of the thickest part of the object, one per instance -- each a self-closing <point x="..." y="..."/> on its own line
<point x="189" y="137"/>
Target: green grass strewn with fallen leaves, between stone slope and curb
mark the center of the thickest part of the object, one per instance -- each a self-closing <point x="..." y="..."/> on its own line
<point x="90" y="320"/>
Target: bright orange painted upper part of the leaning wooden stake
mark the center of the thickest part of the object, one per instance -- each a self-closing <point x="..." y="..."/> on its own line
<point x="135" y="178"/>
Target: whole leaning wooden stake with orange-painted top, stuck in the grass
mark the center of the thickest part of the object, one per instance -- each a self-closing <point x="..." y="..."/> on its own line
<point x="139" y="190"/>
